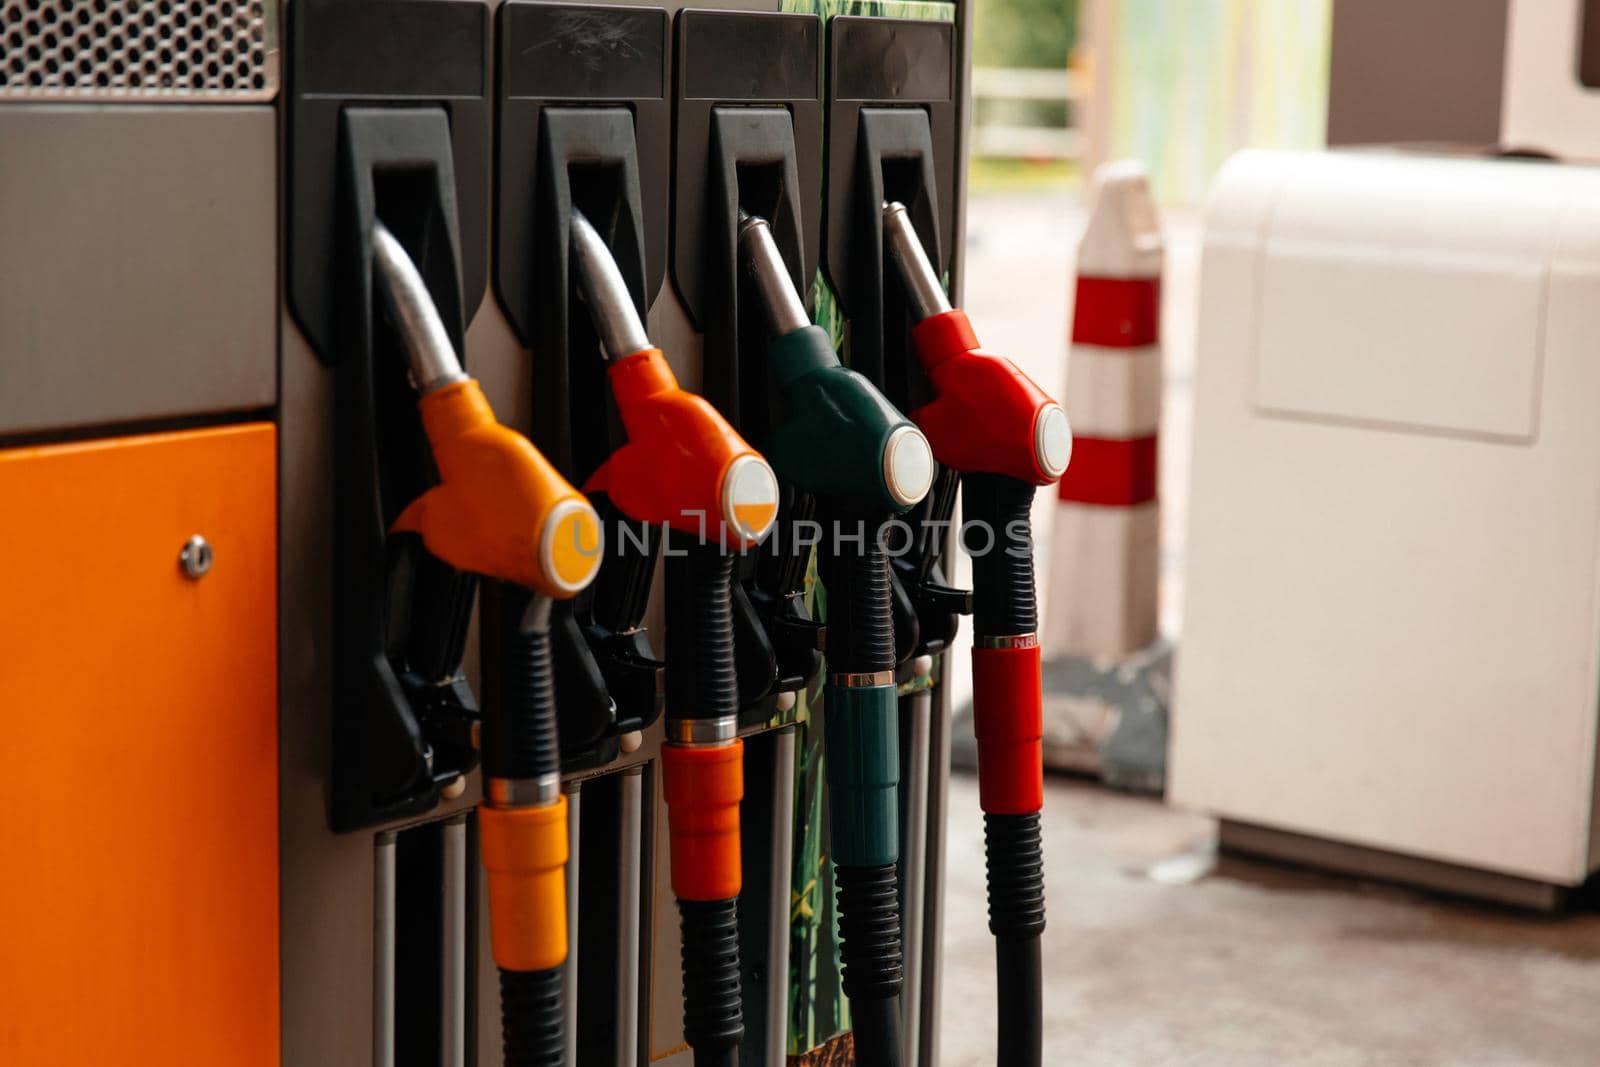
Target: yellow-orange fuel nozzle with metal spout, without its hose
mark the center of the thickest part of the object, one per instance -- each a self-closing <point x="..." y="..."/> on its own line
<point x="502" y="510"/>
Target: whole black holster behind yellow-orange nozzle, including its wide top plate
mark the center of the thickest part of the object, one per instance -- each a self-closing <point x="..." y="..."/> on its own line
<point x="388" y="121"/>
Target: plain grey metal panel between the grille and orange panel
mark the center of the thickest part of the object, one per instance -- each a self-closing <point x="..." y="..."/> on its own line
<point x="138" y="271"/>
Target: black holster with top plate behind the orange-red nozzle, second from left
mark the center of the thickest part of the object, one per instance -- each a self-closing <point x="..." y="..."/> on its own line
<point x="585" y="129"/>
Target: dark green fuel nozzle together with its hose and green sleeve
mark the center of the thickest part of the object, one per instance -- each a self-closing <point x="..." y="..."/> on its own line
<point x="841" y="442"/>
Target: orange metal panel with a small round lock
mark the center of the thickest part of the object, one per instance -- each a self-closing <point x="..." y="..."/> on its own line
<point x="138" y="727"/>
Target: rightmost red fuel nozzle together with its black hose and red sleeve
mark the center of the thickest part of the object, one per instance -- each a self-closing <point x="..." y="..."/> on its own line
<point x="1006" y="438"/>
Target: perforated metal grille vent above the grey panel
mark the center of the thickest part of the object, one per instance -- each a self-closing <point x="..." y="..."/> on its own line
<point x="86" y="50"/>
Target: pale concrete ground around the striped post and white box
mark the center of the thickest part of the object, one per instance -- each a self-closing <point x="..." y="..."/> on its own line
<point x="1161" y="954"/>
